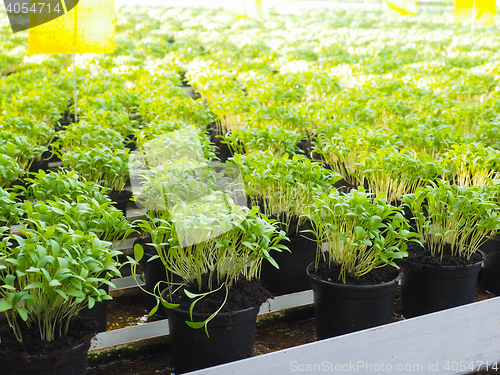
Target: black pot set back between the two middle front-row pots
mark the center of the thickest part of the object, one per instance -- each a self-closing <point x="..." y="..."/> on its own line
<point x="291" y="277"/>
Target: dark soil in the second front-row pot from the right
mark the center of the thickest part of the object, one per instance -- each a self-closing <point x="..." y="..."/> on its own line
<point x="376" y="276"/>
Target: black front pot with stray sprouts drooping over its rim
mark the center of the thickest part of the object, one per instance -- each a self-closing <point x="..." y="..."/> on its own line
<point x="232" y="337"/>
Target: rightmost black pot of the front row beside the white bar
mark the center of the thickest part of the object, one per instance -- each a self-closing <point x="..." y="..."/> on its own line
<point x="434" y="288"/>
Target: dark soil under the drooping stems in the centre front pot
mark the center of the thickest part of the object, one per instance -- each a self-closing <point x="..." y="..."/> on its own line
<point x="243" y="295"/>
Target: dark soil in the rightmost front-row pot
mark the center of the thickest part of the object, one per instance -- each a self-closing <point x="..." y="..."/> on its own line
<point x="418" y="256"/>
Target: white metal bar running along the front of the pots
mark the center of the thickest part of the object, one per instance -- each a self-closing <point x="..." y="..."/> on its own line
<point x="455" y="341"/>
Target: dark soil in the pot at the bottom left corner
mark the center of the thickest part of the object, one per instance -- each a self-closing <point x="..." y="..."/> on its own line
<point x="81" y="330"/>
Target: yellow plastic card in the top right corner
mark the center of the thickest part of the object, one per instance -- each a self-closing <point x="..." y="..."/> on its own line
<point x="479" y="12"/>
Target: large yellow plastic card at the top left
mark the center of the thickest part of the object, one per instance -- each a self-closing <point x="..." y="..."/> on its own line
<point x="88" y="27"/>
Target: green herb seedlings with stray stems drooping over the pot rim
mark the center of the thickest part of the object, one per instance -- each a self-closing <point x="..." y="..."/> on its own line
<point x="187" y="247"/>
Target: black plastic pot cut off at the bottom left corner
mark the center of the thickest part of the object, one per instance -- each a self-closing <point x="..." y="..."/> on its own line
<point x="74" y="362"/>
